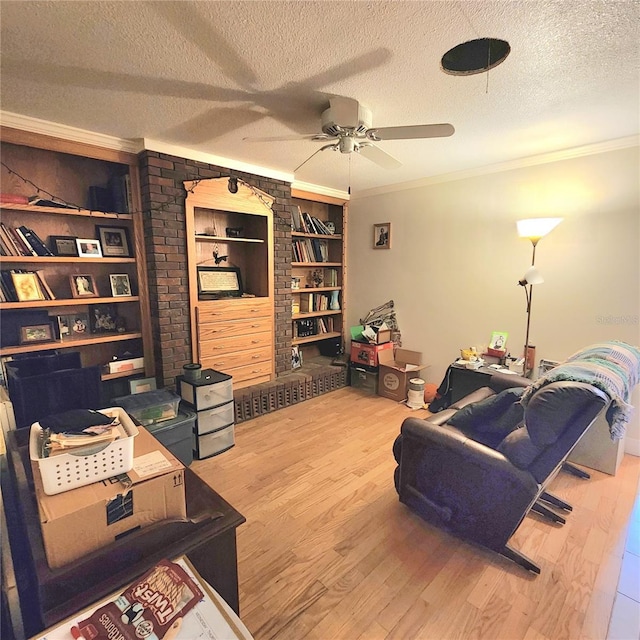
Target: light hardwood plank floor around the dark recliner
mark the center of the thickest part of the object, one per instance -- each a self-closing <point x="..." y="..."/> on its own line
<point x="329" y="553"/>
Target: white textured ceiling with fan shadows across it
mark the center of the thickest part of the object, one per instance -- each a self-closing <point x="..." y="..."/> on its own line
<point x="206" y="75"/>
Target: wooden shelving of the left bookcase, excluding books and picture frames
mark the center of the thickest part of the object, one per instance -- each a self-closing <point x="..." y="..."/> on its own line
<point x="66" y="170"/>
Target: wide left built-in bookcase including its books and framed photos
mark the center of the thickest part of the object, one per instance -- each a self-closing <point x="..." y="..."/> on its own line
<point x="79" y="281"/>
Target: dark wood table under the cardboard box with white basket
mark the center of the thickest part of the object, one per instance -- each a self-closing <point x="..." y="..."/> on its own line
<point x="47" y="596"/>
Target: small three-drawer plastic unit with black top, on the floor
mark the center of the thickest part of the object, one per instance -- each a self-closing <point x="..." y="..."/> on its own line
<point x="211" y="396"/>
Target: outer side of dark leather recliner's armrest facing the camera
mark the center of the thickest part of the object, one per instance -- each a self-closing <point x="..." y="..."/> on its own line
<point x="462" y="485"/>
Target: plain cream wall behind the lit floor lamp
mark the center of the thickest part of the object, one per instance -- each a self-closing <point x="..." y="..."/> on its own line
<point x="456" y="258"/>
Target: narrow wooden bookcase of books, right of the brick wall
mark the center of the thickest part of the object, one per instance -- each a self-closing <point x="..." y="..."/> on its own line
<point x="318" y="269"/>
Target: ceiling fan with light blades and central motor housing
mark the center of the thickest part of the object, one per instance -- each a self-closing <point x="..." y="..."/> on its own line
<point x="348" y="125"/>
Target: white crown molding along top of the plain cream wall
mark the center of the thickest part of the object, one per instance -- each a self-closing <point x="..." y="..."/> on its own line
<point x="520" y="163"/>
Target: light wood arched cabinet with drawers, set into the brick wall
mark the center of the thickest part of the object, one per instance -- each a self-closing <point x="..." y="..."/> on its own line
<point x="230" y="333"/>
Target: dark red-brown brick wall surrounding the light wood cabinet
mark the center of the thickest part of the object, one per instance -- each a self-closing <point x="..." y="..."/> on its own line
<point x="163" y="197"/>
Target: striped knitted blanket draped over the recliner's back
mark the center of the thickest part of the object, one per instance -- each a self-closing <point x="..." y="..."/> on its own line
<point x="613" y="367"/>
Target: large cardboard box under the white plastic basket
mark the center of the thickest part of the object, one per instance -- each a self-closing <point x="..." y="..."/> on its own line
<point x="77" y="522"/>
